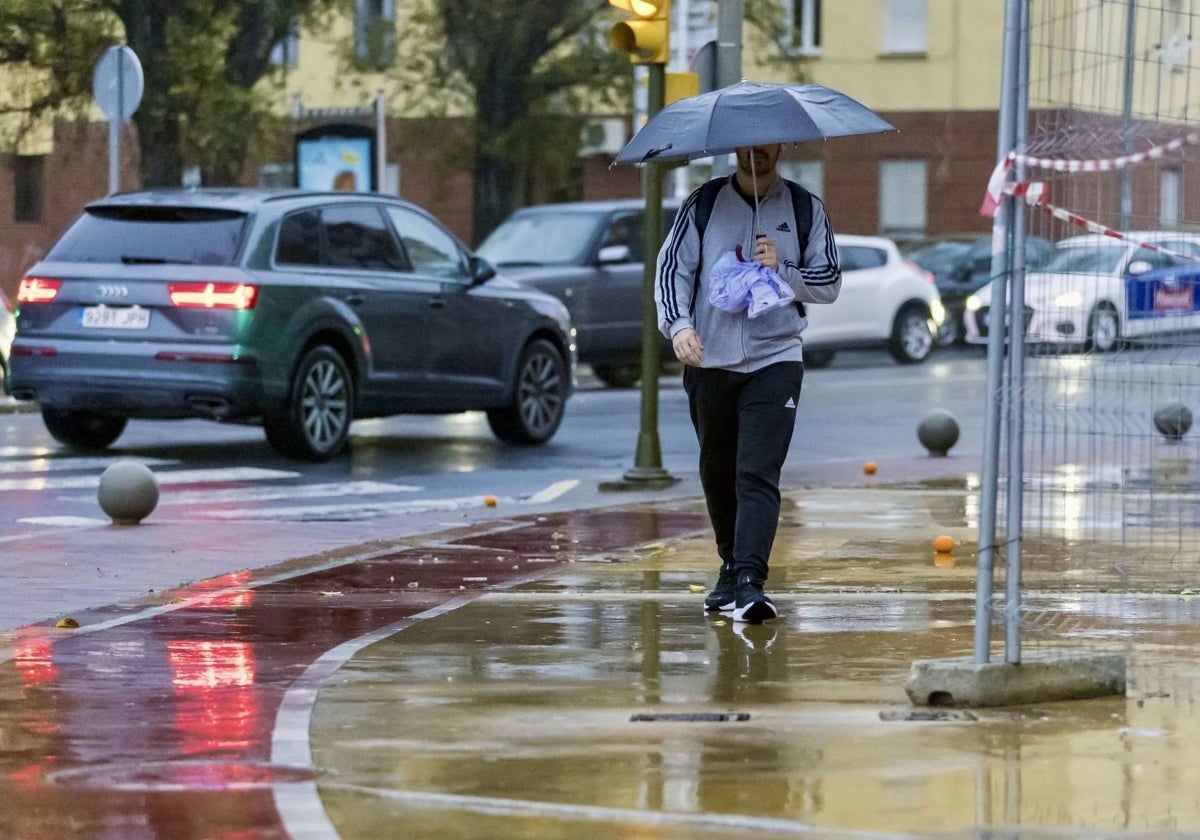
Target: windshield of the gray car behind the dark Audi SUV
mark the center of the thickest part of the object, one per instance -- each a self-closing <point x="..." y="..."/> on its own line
<point x="541" y="239"/>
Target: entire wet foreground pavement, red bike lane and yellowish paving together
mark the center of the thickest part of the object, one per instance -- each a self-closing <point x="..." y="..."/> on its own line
<point x="554" y="676"/>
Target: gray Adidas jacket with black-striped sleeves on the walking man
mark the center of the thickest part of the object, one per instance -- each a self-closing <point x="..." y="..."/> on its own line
<point x="735" y="341"/>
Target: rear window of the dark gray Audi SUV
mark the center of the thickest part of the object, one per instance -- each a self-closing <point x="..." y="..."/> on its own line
<point x="159" y="235"/>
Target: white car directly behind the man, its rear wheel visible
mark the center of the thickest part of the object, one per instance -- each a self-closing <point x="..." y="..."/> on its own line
<point x="886" y="302"/>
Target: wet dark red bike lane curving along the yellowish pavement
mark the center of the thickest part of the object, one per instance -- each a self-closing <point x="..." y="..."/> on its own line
<point x="160" y="723"/>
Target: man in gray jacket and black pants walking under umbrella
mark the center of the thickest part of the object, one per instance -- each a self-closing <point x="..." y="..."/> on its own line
<point x="743" y="375"/>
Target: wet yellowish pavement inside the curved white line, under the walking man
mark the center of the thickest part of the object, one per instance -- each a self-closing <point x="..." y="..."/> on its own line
<point x="523" y="715"/>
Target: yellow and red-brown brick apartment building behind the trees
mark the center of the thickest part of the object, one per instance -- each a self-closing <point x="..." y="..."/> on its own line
<point x="932" y="68"/>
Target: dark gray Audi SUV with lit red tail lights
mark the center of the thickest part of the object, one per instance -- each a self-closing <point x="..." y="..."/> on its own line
<point x="301" y="311"/>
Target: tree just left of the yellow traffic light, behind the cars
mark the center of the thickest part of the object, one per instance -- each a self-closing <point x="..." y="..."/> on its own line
<point x="530" y="71"/>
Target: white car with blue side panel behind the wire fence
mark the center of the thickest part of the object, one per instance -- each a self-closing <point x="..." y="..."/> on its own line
<point x="1099" y="292"/>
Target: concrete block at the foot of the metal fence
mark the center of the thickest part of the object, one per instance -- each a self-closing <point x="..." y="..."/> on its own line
<point x="1041" y="677"/>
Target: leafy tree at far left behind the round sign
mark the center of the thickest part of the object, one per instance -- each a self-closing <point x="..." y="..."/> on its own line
<point x="203" y="62"/>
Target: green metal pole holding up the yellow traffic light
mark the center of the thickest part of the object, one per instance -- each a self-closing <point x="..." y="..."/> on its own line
<point x="647" y="470"/>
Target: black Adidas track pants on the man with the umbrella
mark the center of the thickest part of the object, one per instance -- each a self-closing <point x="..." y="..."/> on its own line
<point x="745" y="425"/>
